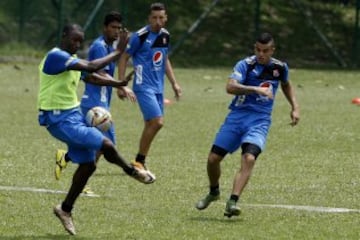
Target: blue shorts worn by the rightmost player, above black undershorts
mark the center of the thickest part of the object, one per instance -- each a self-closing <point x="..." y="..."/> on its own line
<point x="243" y="127"/>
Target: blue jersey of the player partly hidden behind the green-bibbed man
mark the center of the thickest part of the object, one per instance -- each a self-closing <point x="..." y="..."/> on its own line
<point x="95" y="95"/>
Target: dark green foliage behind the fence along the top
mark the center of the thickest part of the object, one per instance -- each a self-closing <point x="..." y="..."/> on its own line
<point x="225" y="35"/>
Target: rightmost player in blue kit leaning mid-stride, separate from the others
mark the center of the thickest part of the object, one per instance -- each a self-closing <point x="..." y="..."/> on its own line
<point x="254" y="83"/>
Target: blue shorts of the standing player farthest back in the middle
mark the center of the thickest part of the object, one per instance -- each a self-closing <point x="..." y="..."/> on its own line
<point x="151" y="104"/>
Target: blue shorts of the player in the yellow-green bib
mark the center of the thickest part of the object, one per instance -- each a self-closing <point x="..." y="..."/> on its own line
<point x="69" y="127"/>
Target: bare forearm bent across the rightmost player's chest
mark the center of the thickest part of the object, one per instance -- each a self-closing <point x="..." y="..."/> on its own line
<point x="236" y="88"/>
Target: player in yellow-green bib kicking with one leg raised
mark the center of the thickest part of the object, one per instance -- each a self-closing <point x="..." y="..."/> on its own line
<point x="59" y="112"/>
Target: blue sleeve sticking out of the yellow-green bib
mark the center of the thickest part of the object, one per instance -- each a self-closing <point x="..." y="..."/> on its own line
<point x="58" y="61"/>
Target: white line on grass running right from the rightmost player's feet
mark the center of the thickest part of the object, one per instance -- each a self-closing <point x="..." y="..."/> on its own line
<point x="306" y="208"/>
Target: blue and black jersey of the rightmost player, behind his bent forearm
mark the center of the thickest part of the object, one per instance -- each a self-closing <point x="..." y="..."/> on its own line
<point x="249" y="72"/>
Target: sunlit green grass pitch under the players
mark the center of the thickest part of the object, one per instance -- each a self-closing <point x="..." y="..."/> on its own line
<point x="315" y="164"/>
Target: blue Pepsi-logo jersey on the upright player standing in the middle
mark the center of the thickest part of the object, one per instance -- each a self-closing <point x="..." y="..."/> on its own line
<point x="149" y="52"/>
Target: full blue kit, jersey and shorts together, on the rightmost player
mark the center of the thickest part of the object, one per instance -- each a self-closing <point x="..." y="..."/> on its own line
<point x="250" y="117"/>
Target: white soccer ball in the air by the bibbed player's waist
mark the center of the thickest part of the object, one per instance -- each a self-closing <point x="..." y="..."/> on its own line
<point x="100" y="118"/>
